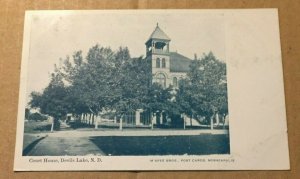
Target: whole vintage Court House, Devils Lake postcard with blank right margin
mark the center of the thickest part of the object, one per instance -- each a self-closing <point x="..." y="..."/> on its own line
<point x="146" y="90"/>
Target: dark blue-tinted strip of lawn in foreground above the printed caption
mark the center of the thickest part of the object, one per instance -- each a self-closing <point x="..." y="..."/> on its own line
<point x="203" y="144"/>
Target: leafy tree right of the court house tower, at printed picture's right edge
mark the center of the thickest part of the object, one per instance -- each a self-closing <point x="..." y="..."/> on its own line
<point x="204" y="92"/>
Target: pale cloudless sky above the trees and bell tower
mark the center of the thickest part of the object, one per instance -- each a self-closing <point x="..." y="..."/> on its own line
<point x="56" y="34"/>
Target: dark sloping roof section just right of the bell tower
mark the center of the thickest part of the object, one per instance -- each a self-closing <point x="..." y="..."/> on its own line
<point x="179" y="63"/>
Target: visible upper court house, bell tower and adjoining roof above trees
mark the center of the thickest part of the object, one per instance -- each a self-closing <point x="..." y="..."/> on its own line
<point x="167" y="67"/>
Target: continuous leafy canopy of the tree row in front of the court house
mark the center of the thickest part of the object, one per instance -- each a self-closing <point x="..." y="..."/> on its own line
<point x="107" y="80"/>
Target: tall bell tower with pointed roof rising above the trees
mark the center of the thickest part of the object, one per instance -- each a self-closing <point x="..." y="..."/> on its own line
<point x="157" y="52"/>
